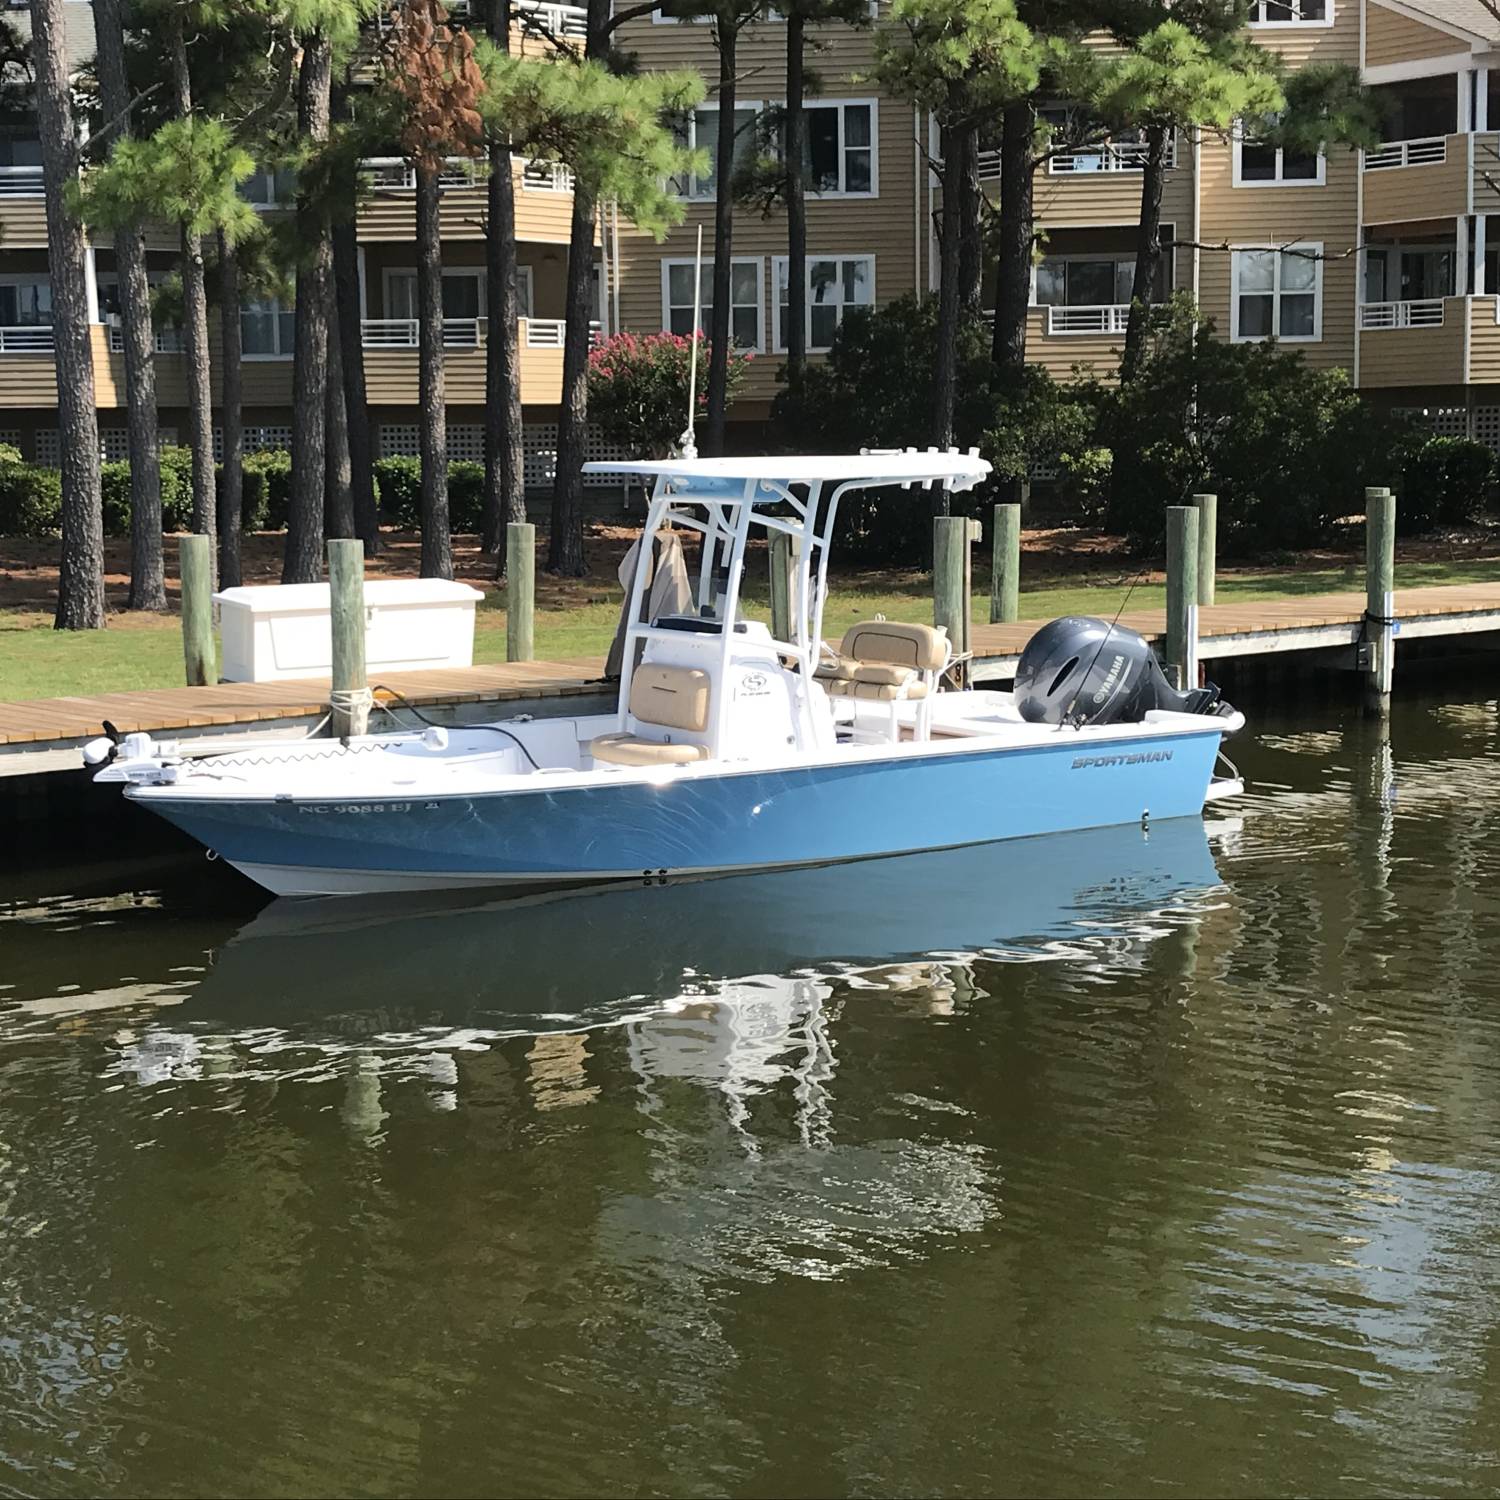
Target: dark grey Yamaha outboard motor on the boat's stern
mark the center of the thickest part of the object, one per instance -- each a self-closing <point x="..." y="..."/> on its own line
<point x="1081" y="671"/>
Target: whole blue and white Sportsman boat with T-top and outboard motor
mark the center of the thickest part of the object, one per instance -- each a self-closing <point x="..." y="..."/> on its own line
<point x="730" y="751"/>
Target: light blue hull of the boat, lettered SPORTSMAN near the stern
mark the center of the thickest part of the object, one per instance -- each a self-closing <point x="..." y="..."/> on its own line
<point x="623" y="829"/>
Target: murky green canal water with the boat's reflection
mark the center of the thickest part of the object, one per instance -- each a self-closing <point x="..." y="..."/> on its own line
<point x="1112" y="1165"/>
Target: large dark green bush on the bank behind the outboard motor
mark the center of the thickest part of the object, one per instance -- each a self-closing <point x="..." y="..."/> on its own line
<point x="1289" y="449"/>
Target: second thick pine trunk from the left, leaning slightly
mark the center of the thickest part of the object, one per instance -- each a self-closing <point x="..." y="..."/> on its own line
<point x="148" y="572"/>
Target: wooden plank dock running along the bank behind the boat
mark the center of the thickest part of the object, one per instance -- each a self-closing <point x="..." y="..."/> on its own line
<point x="46" y="734"/>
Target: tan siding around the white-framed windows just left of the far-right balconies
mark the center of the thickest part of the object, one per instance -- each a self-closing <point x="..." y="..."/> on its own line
<point x="1267" y="217"/>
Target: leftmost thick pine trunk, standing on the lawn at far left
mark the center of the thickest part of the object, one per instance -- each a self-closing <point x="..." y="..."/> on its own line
<point x="80" y="587"/>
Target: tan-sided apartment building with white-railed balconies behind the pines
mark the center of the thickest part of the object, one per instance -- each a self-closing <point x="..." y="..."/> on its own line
<point x="1378" y="263"/>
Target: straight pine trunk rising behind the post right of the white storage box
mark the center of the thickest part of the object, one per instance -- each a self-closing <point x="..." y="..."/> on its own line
<point x="505" y="421"/>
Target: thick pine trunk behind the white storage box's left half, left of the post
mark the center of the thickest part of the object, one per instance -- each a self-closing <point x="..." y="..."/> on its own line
<point x="310" y="380"/>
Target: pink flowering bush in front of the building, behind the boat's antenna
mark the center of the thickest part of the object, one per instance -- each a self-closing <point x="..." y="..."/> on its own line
<point x="638" y="389"/>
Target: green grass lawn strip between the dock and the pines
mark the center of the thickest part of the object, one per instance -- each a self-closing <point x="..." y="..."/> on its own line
<point x="146" y="652"/>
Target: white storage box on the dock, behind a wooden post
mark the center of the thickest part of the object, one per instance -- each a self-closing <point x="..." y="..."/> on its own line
<point x="283" y="632"/>
